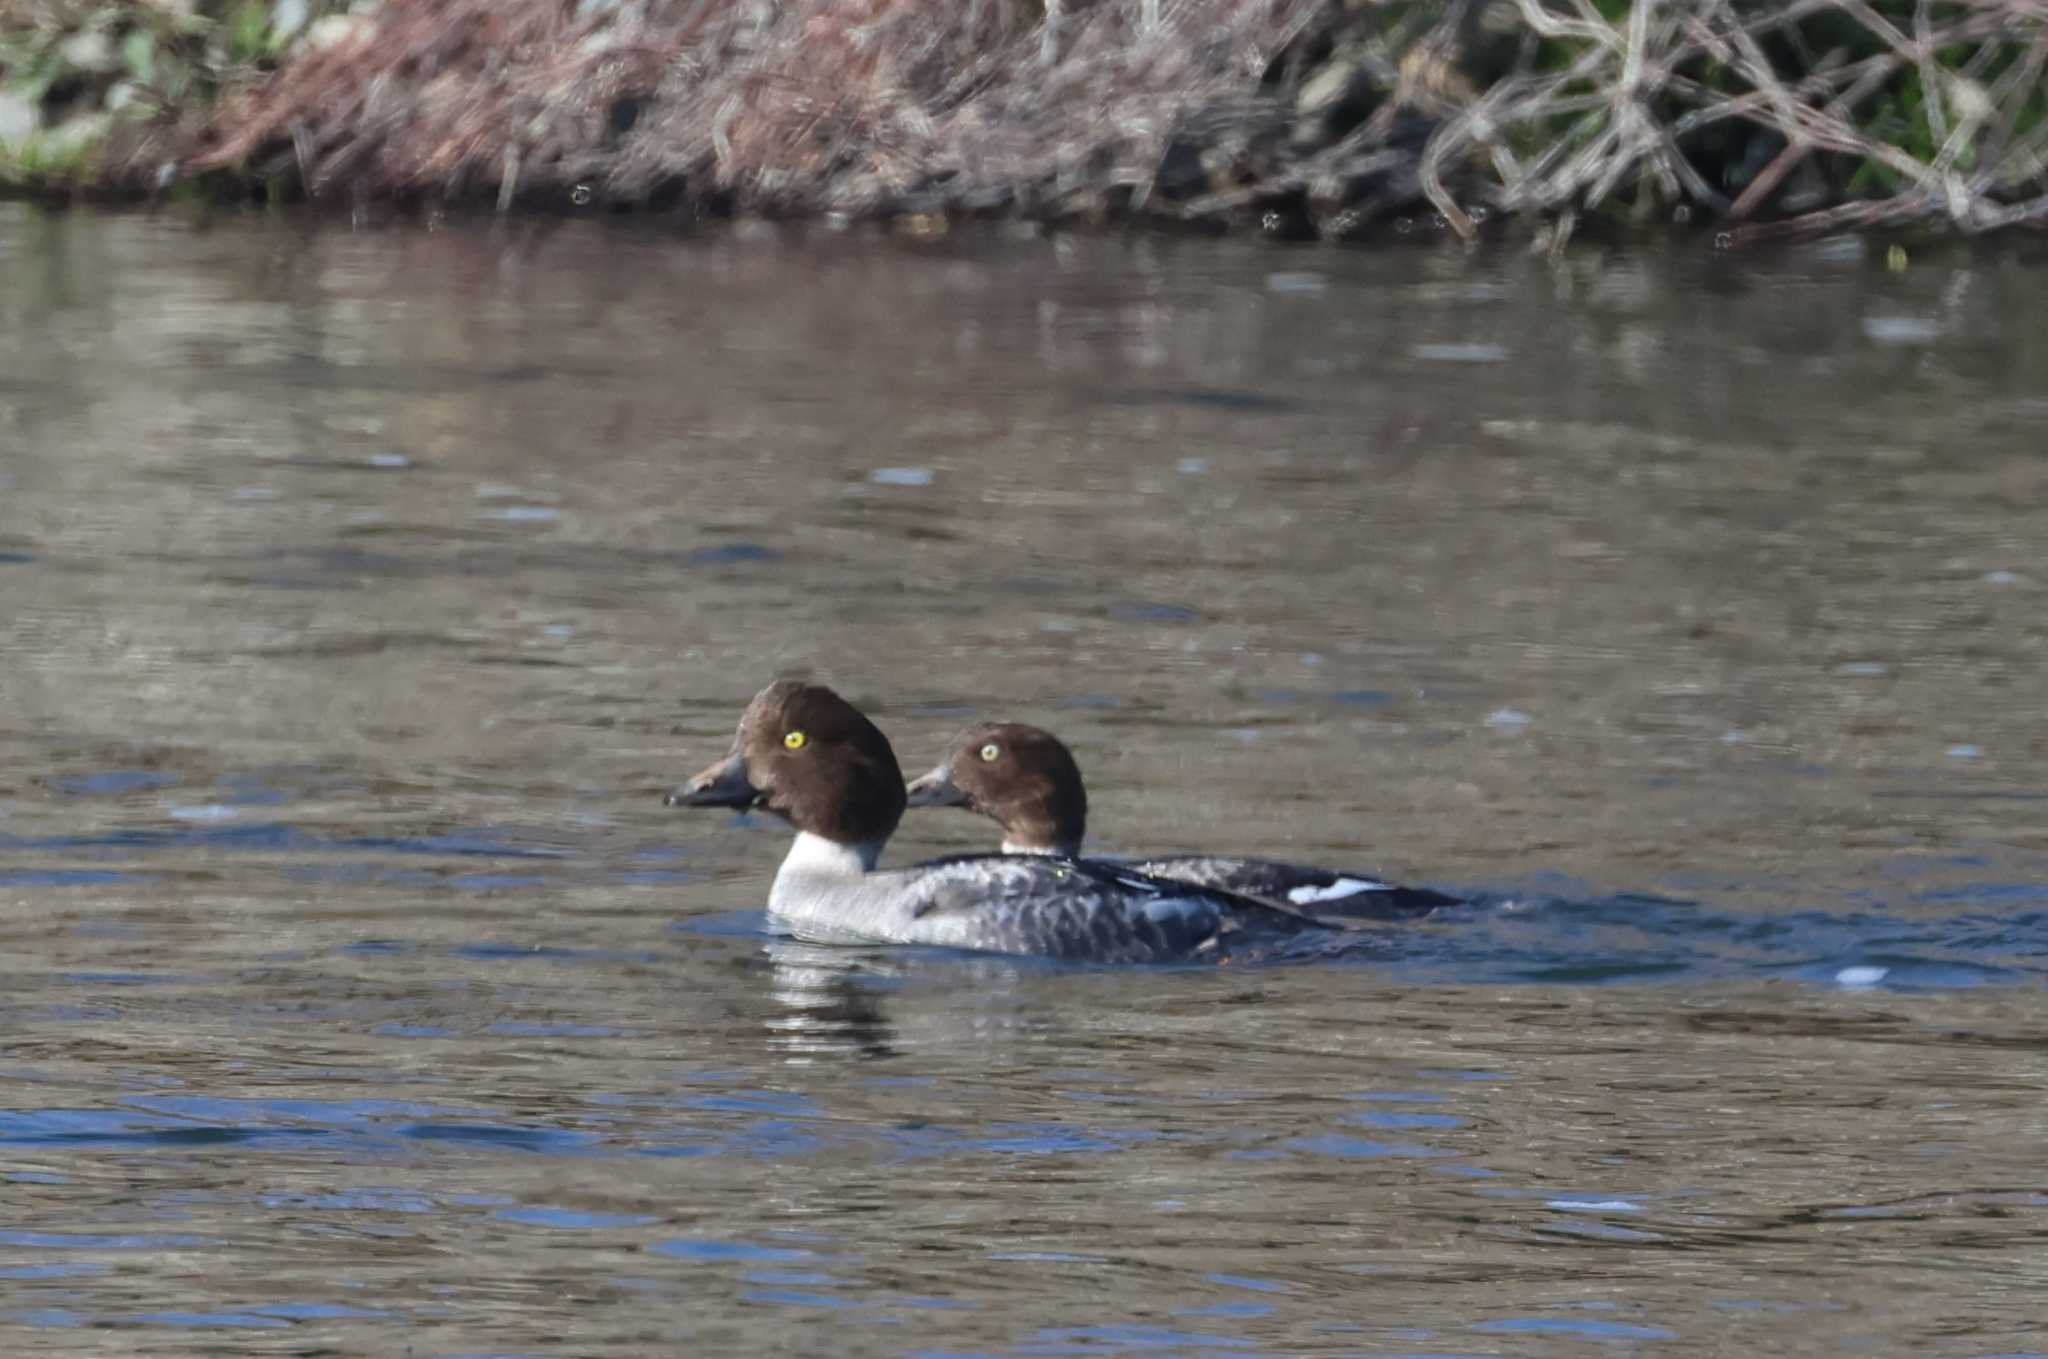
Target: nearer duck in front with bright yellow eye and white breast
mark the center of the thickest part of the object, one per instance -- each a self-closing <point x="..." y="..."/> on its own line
<point x="814" y="760"/>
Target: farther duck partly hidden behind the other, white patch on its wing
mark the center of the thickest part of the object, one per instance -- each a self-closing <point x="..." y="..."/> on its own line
<point x="1029" y="783"/>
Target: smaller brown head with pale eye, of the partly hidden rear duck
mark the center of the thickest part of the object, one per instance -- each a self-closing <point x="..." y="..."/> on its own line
<point x="1021" y="779"/>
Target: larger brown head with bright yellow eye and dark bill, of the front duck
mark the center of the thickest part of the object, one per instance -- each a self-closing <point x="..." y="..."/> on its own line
<point x="810" y="758"/>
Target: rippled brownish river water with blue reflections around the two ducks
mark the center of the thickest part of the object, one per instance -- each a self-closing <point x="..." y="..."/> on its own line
<point x="364" y="590"/>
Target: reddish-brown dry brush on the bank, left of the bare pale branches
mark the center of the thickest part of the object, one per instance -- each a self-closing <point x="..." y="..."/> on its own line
<point x="806" y="107"/>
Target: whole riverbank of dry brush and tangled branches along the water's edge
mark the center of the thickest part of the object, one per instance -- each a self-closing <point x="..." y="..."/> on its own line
<point x="1310" y="120"/>
